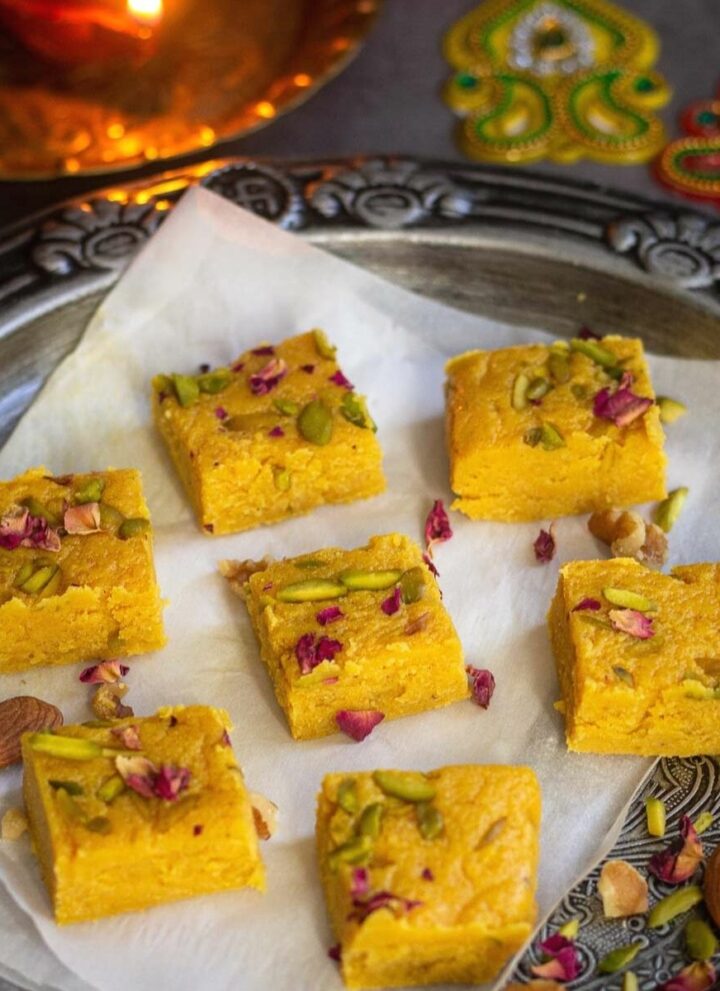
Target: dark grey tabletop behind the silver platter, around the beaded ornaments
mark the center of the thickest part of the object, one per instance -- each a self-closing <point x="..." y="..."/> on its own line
<point x="388" y="100"/>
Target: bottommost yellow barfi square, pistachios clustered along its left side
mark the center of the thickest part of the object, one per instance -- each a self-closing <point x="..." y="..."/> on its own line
<point x="429" y="878"/>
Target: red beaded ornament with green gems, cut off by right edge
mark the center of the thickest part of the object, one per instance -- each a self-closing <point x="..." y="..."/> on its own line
<point x="691" y="165"/>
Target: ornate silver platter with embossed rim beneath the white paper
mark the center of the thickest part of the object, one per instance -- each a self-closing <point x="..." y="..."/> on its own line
<point x="509" y="244"/>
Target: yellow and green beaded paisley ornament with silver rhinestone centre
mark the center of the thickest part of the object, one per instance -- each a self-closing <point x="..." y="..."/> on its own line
<point x="558" y="79"/>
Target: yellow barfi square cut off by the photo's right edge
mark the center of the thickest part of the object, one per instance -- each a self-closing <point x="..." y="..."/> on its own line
<point x="638" y="657"/>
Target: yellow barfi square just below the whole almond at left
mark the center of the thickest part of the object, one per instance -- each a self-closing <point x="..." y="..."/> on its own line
<point x="145" y="811"/>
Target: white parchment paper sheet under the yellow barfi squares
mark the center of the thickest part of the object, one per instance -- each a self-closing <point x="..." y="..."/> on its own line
<point x="212" y="282"/>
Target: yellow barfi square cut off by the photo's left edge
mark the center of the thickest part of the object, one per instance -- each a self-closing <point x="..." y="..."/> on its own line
<point x="77" y="578"/>
